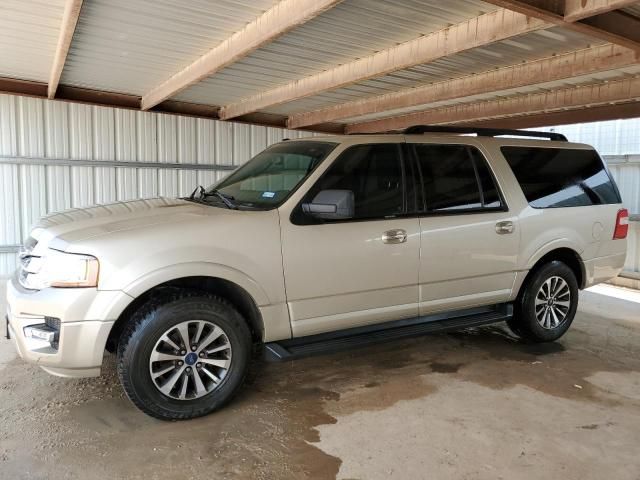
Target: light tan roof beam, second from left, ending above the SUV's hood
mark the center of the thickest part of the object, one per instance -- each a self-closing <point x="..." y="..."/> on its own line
<point x="276" y="21"/>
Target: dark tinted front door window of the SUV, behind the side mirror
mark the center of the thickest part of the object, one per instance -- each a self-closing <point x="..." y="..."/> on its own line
<point x="373" y="173"/>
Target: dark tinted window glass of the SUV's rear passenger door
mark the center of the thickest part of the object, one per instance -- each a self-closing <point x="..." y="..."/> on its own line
<point x="456" y="178"/>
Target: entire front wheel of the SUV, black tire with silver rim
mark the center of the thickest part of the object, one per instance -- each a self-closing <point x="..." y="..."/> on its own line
<point x="184" y="357"/>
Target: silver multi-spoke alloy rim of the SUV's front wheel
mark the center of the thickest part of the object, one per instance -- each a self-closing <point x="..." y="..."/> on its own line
<point x="190" y="360"/>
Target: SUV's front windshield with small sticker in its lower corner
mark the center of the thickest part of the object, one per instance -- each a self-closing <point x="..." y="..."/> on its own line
<point x="268" y="178"/>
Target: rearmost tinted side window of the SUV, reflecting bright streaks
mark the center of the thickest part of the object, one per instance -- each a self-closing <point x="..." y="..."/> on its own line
<point x="561" y="177"/>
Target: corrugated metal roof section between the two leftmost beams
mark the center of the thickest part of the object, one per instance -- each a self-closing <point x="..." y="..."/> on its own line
<point x="130" y="47"/>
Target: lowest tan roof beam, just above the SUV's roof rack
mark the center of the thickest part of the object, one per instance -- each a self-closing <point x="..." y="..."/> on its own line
<point x="619" y="91"/>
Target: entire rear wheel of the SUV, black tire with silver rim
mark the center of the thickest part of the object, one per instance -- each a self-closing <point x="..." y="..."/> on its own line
<point x="547" y="305"/>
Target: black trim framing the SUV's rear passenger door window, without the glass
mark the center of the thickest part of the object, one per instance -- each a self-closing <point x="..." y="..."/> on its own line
<point x="425" y="212"/>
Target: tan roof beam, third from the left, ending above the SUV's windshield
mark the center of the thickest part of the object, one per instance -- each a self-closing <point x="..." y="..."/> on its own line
<point x="476" y="32"/>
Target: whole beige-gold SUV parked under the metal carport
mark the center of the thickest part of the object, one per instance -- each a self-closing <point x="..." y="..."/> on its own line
<point x="318" y="244"/>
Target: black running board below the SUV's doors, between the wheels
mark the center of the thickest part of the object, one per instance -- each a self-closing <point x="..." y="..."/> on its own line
<point x="385" y="332"/>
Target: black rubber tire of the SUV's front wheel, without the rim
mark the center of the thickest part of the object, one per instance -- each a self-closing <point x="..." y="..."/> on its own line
<point x="145" y="328"/>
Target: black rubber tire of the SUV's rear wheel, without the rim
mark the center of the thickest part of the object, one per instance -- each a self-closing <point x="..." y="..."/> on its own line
<point x="525" y="323"/>
